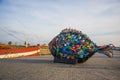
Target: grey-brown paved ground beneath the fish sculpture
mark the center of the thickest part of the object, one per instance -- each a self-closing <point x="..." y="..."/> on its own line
<point x="99" y="67"/>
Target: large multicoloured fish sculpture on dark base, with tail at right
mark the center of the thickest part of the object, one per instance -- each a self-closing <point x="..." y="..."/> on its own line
<point x="72" y="46"/>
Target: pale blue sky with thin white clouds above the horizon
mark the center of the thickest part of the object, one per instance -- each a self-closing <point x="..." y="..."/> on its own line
<point x="38" y="21"/>
